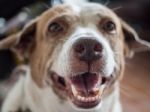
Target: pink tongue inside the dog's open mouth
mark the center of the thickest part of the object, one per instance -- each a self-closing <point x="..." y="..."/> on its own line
<point x="85" y="82"/>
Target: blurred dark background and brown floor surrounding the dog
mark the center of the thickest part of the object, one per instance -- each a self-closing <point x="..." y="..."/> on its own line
<point x="135" y="86"/>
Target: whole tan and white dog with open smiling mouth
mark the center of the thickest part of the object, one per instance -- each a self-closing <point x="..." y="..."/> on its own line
<point x="76" y="56"/>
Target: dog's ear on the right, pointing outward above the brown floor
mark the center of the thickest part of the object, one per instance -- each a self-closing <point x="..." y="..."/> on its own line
<point x="132" y="41"/>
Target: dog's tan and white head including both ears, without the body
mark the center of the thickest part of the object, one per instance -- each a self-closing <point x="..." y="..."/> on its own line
<point x="78" y="51"/>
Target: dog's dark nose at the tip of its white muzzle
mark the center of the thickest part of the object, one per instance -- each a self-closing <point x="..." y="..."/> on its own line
<point x="88" y="50"/>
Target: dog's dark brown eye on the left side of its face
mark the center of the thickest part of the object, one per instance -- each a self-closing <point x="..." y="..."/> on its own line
<point x="55" y="27"/>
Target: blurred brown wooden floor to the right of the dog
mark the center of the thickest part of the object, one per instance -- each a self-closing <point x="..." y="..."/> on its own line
<point x="135" y="86"/>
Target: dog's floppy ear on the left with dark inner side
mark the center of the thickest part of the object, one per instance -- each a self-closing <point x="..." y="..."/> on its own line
<point x="21" y="43"/>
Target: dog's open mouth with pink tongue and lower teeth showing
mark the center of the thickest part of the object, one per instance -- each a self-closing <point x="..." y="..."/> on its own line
<point x="84" y="90"/>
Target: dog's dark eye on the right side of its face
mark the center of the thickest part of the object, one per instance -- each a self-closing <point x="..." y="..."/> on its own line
<point x="109" y="27"/>
